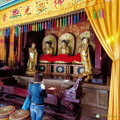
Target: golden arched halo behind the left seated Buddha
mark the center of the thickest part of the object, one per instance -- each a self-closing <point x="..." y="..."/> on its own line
<point x="52" y="39"/>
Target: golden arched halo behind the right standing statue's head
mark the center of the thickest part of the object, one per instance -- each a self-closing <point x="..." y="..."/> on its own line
<point x="85" y="34"/>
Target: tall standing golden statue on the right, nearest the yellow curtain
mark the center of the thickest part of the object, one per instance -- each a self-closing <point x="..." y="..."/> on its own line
<point x="85" y="57"/>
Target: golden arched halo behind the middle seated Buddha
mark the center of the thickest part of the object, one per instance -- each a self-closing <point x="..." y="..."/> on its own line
<point x="70" y="40"/>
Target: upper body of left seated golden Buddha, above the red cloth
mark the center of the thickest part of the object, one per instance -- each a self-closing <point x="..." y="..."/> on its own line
<point x="48" y="49"/>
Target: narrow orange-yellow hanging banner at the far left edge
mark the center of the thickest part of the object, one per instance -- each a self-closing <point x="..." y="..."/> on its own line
<point x="2" y="45"/>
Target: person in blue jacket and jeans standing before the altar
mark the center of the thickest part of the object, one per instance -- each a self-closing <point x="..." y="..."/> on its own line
<point x="38" y="93"/>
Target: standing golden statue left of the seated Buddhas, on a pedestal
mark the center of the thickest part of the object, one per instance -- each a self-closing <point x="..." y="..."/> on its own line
<point x="32" y="61"/>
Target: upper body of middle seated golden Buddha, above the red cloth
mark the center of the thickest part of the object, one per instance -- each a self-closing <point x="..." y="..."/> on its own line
<point x="65" y="49"/>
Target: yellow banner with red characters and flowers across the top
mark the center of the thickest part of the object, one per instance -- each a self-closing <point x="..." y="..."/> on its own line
<point x="33" y="10"/>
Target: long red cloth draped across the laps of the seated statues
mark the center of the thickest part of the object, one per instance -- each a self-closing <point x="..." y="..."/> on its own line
<point x="61" y="57"/>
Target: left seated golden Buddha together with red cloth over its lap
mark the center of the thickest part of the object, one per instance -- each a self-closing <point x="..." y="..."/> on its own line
<point x="48" y="52"/>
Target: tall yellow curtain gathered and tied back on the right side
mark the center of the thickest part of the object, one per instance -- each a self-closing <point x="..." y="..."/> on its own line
<point x="105" y="20"/>
